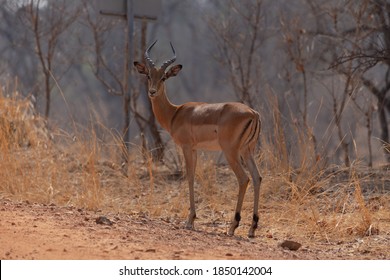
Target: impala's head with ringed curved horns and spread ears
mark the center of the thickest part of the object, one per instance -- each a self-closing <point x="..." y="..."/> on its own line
<point x="157" y="76"/>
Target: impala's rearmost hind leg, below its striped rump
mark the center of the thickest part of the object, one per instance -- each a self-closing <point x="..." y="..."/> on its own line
<point x="256" y="178"/>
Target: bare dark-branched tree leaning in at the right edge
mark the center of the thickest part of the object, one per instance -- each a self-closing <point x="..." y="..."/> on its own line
<point x="358" y="34"/>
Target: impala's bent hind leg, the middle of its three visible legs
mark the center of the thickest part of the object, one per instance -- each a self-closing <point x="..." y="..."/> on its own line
<point x="243" y="180"/>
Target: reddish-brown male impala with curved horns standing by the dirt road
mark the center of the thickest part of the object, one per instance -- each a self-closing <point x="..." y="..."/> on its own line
<point x="231" y="127"/>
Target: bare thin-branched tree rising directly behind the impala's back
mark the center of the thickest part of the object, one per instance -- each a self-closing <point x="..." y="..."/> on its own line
<point x="237" y="32"/>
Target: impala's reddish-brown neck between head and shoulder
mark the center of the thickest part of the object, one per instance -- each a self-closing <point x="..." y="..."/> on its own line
<point x="163" y="109"/>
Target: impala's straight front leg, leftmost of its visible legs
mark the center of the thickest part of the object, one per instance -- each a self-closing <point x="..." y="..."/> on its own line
<point x="190" y="157"/>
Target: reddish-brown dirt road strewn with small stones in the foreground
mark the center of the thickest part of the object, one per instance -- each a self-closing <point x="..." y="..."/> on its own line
<point x="36" y="231"/>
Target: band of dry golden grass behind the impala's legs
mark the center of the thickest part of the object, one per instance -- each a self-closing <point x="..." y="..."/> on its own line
<point x="311" y="202"/>
